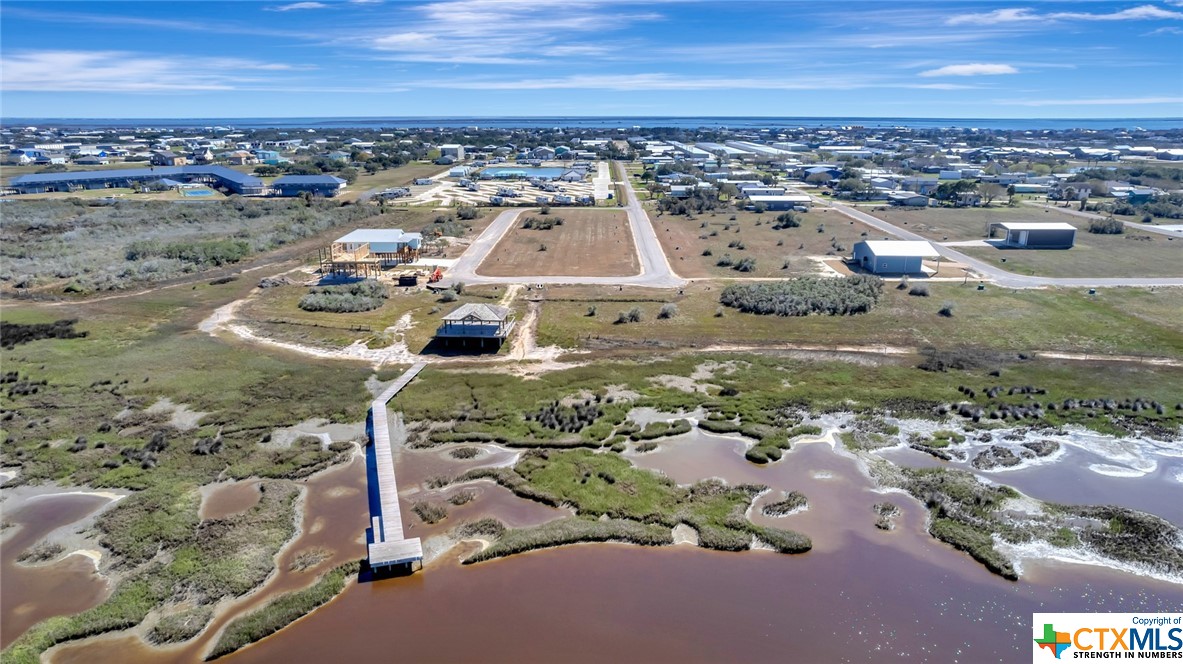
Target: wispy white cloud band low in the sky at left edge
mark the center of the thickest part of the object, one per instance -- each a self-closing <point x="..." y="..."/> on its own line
<point x="117" y="72"/>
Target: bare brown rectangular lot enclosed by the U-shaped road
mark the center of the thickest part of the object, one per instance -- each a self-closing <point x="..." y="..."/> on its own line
<point x="589" y="243"/>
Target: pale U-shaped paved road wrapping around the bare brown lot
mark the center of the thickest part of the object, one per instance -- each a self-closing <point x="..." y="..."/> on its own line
<point x="656" y="270"/>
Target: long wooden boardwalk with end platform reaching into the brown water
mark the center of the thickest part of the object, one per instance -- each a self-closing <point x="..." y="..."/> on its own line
<point x="389" y="546"/>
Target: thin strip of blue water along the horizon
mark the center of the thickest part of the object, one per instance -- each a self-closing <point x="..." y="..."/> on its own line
<point x="606" y="123"/>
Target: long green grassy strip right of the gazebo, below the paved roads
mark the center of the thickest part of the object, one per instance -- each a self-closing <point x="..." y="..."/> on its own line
<point x="1127" y="321"/>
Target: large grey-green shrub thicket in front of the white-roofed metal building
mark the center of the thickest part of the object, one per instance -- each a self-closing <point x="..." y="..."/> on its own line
<point x="857" y="294"/>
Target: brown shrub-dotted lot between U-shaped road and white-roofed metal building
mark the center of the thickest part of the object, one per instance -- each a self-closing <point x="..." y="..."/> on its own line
<point x="748" y="235"/>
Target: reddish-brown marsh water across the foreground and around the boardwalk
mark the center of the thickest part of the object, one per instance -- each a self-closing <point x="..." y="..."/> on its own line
<point x="862" y="595"/>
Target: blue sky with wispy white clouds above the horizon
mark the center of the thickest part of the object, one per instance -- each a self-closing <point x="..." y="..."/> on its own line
<point x="464" y="59"/>
